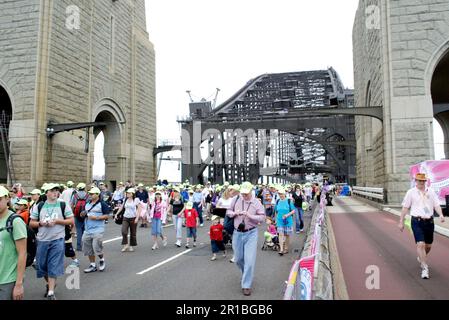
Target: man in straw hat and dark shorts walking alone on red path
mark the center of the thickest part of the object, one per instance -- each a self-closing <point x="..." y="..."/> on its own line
<point x="421" y="202"/>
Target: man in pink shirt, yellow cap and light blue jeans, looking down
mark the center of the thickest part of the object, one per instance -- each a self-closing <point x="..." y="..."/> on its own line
<point x="247" y="212"/>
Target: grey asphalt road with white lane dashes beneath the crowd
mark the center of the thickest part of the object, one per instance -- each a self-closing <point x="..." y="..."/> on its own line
<point x="171" y="273"/>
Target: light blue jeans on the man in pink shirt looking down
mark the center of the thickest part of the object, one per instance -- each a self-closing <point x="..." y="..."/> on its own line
<point x="244" y="245"/>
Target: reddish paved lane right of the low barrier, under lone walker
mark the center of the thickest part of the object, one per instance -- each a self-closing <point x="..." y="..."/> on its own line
<point x="368" y="240"/>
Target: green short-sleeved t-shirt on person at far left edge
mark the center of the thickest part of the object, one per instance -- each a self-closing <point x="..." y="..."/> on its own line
<point x="8" y="252"/>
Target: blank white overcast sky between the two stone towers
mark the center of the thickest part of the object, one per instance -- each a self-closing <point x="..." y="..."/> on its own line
<point x="202" y="45"/>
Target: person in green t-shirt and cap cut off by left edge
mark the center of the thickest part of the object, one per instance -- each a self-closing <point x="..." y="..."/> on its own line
<point x="13" y="252"/>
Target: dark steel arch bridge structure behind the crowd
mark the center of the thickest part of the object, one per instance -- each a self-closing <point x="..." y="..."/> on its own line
<point x="282" y="126"/>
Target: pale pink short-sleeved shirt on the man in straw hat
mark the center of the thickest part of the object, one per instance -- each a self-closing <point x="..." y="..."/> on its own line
<point x="421" y="204"/>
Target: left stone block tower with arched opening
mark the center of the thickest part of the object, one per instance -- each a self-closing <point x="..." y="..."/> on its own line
<point x="109" y="58"/>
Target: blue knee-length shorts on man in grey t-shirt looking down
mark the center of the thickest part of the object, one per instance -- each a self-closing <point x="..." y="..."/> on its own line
<point x="50" y="258"/>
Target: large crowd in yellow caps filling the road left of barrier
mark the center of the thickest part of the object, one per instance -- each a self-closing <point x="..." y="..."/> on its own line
<point x="58" y="214"/>
